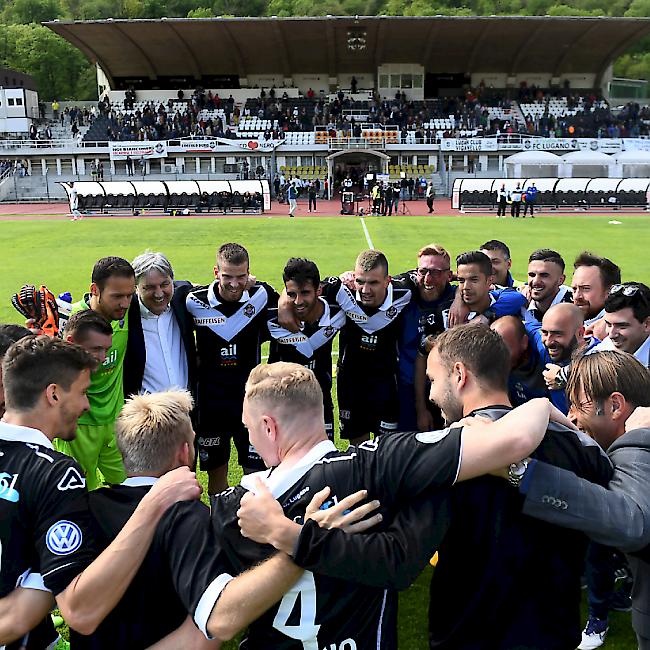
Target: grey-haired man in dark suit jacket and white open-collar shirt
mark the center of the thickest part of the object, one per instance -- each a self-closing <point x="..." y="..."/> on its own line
<point x="161" y="352"/>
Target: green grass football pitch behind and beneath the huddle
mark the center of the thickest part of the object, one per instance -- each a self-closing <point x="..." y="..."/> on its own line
<point x="61" y="254"/>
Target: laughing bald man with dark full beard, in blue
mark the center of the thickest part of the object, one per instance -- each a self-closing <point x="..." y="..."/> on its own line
<point x="560" y="335"/>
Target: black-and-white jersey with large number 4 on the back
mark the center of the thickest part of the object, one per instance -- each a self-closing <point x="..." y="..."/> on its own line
<point x="319" y="611"/>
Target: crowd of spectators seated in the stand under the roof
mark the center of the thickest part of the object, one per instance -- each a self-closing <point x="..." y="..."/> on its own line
<point x="482" y="111"/>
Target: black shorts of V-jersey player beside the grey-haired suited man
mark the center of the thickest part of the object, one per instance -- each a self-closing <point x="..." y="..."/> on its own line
<point x="215" y="430"/>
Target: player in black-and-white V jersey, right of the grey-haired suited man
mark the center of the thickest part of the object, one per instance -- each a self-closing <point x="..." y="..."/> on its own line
<point x="230" y="323"/>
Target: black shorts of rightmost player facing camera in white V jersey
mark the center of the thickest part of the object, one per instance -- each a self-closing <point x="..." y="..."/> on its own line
<point x="367" y="406"/>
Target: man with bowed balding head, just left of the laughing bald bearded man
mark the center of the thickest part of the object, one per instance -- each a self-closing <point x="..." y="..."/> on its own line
<point x="526" y="381"/>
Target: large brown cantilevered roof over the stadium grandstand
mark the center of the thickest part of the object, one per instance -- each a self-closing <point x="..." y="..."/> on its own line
<point x="209" y="47"/>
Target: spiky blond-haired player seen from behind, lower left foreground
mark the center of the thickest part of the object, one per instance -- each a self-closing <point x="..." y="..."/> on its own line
<point x="185" y="574"/>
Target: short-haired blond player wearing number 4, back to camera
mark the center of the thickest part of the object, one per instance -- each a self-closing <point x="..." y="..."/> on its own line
<point x="283" y="411"/>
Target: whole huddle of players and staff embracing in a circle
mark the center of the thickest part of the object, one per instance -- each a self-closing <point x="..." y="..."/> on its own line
<point x="501" y="424"/>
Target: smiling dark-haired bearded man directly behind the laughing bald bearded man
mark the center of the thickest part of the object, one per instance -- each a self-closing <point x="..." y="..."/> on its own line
<point x="545" y="288"/>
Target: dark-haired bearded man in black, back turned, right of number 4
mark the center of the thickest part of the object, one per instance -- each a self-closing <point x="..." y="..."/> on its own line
<point x="507" y="582"/>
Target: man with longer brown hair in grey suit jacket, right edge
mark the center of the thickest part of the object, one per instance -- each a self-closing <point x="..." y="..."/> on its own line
<point x="605" y="389"/>
